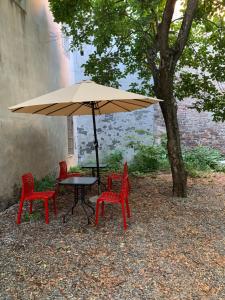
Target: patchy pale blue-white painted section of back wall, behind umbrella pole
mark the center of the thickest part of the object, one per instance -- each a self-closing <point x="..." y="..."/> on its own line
<point x="113" y="130"/>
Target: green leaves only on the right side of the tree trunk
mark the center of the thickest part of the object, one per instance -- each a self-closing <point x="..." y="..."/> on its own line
<point x="204" y="55"/>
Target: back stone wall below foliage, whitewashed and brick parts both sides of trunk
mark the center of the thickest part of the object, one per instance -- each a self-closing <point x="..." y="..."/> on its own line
<point x="114" y="130"/>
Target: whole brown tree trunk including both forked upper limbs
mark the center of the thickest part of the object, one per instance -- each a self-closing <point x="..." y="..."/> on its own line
<point x="163" y="75"/>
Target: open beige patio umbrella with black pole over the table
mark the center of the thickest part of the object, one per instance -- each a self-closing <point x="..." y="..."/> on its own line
<point x="85" y="98"/>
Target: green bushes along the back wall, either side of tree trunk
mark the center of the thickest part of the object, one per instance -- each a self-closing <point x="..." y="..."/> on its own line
<point x="149" y="158"/>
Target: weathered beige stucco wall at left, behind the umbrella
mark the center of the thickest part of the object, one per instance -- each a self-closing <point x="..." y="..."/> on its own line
<point x="32" y="62"/>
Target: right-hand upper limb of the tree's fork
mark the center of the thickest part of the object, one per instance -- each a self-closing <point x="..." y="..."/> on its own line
<point x="185" y="29"/>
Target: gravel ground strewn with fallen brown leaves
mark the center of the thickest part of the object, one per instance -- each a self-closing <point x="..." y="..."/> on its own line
<point x="173" y="249"/>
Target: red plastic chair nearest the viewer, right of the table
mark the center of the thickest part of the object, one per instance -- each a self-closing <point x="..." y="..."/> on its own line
<point x="115" y="198"/>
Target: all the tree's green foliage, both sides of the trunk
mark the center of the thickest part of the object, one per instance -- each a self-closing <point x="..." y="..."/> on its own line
<point x="125" y="33"/>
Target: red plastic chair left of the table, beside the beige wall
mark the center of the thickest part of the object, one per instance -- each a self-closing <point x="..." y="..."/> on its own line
<point x="28" y="194"/>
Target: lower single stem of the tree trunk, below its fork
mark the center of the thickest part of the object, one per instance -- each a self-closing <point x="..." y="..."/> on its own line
<point x="169" y="111"/>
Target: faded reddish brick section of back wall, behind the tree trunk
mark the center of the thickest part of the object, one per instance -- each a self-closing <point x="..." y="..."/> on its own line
<point x="195" y="128"/>
